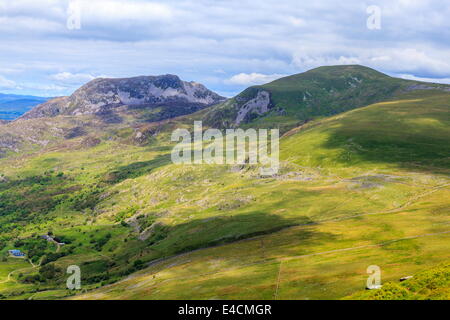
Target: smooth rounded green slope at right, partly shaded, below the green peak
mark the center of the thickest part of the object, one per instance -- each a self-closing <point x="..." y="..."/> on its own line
<point x="411" y="132"/>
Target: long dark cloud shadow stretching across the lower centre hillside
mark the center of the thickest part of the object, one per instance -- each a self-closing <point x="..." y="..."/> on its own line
<point x="196" y="234"/>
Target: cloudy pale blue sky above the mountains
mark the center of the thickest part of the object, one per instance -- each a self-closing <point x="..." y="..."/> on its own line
<point x="52" y="47"/>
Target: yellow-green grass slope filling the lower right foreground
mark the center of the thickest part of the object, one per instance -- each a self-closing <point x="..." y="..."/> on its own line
<point x="251" y="269"/>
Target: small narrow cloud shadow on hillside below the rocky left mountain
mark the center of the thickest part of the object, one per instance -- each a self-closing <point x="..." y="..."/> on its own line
<point x="136" y="169"/>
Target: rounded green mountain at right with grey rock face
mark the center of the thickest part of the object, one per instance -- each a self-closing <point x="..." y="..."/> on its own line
<point x="325" y="91"/>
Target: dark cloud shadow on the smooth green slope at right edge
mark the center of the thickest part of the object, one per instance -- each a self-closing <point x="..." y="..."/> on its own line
<point x="406" y="135"/>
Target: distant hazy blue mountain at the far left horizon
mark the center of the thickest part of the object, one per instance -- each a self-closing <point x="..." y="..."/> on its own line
<point x="13" y="106"/>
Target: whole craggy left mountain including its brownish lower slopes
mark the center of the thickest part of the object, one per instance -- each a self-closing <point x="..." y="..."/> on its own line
<point x="105" y="109"/>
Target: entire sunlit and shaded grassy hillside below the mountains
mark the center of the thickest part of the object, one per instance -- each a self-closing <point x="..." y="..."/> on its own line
<point x="362" y="188"/>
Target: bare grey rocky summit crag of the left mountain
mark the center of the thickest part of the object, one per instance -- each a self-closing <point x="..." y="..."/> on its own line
<point x="167" y="96"/>
